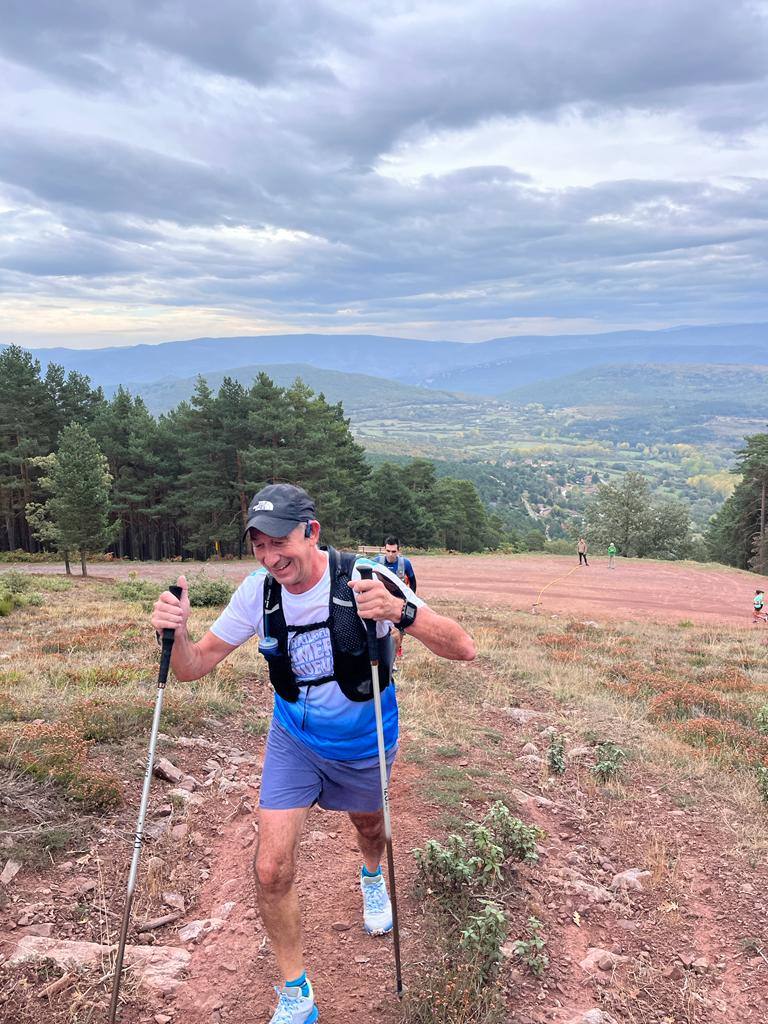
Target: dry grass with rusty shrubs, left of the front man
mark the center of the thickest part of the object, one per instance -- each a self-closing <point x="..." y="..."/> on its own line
<point x="78" y="682"/>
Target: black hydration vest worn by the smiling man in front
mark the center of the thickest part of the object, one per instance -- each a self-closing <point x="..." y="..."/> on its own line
<point x="352" y="664"/>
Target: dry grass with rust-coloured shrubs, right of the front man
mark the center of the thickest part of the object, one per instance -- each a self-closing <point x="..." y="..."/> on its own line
<point x="684" y="701"/>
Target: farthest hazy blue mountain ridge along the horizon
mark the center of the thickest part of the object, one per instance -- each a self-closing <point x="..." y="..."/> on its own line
<point x="491" y="368"/>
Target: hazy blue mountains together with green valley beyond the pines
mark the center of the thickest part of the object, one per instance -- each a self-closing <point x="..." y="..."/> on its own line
<point x="530" y="419"/>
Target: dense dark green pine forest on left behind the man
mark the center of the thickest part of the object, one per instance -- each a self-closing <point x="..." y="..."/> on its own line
<point x="181" y="485"/>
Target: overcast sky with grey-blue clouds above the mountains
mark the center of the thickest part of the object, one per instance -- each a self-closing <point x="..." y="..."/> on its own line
<point x="176" y="168"/>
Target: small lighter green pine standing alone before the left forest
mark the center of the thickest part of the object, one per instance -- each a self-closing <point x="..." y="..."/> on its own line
<point x="79" y="482"/>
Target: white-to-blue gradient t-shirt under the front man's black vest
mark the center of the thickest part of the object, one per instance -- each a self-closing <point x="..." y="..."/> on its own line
<point x="323" y="718"/>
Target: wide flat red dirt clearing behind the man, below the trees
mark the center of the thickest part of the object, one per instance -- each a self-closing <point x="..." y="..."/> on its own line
<point x="635" y="589"/>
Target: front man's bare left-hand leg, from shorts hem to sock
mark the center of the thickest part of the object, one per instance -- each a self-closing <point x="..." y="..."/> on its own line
<point x="275" y="869"/>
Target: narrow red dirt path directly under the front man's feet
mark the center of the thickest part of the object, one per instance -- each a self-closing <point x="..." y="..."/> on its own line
<point x="233" y="971"/>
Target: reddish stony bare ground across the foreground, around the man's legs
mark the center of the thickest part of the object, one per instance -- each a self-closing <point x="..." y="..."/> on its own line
<point x="650" y="915"/>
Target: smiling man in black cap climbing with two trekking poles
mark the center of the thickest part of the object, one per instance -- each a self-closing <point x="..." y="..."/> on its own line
<point x="322" y="747"/>
